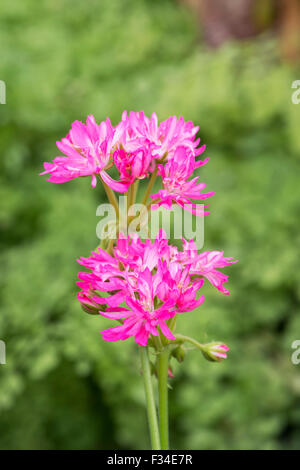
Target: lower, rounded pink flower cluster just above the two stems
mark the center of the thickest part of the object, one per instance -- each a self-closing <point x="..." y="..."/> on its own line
<point x="154" y="279"/>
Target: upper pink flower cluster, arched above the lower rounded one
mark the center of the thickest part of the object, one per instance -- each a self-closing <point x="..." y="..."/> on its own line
<point x="136" y="147"/>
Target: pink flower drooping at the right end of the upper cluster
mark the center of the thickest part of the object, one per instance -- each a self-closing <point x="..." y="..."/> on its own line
<point x="177" y="187"/>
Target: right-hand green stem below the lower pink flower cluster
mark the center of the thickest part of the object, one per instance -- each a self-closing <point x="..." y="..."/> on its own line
<point x="163" y="368"/>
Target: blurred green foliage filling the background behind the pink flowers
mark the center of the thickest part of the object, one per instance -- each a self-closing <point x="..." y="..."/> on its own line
<point x="62" y="386"/>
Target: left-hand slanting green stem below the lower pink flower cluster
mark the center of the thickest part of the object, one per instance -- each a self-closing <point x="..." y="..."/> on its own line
<point x="150" y="401"/>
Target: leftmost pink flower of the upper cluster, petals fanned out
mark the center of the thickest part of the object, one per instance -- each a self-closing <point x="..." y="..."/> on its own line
<point x="88" y="149"/>
